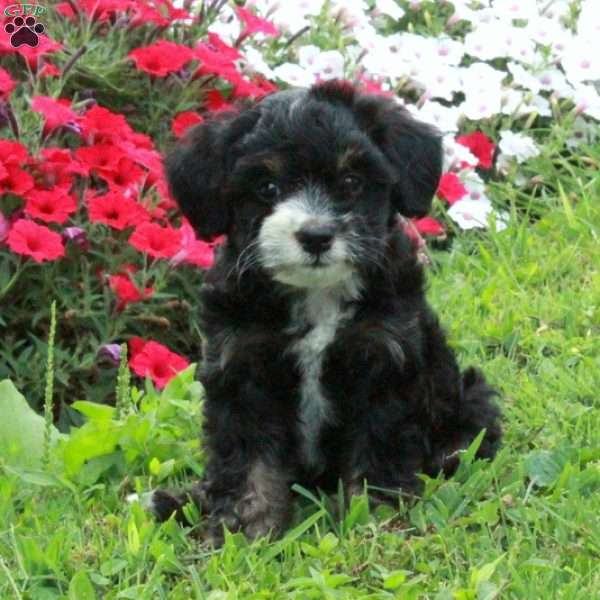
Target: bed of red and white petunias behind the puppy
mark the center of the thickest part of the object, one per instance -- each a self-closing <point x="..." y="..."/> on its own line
<point x="85" y="213"/>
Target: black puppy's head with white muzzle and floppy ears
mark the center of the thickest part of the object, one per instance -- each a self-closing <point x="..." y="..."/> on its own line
<point x="305" y="183"/>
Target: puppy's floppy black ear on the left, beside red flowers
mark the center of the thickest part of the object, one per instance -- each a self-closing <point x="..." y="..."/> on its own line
<point x="197" y="170"/>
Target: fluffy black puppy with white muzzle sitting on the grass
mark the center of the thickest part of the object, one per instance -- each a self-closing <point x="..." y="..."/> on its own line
<point x="322" y="360"/>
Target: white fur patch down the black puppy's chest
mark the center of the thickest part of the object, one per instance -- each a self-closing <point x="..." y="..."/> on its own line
<point x="323" y="310"/>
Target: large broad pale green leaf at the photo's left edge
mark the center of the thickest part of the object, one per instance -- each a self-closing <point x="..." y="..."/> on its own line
<point x="21" y="429"/>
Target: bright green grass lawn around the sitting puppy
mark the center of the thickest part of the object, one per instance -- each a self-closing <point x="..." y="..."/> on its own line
<point x="523" y="303"/>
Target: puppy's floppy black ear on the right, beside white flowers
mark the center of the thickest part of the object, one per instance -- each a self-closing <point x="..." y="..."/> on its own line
<point x="414" y="150"/>
